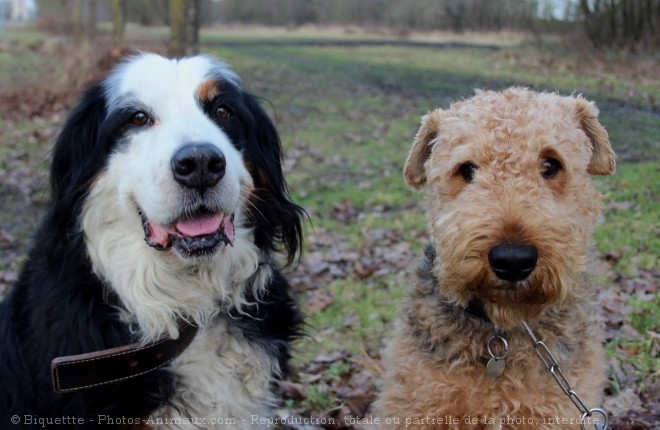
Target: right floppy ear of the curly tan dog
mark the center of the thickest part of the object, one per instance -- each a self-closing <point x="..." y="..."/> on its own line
<point x="602" y="158"/>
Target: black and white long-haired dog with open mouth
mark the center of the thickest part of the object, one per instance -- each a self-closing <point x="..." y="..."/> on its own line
<point x="156" y="260"/>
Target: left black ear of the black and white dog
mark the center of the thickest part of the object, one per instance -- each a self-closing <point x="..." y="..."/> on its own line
<point x="77" y="156"/>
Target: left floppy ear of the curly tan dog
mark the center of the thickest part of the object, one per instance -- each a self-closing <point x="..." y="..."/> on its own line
<point x="414" y="171"/>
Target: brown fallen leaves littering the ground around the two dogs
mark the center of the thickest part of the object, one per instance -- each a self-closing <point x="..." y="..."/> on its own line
<point x="334" y="384"/>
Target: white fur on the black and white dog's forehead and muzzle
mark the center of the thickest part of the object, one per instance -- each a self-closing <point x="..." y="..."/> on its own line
<point x="166" y="90"/>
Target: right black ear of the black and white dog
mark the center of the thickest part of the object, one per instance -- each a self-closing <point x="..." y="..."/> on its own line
<point x="277" y="221"/>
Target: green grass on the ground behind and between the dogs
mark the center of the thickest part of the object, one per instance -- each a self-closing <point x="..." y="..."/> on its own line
<point x="347" y="117"/>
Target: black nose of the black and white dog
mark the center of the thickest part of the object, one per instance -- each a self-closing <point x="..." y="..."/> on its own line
<point x="198" y="165"/>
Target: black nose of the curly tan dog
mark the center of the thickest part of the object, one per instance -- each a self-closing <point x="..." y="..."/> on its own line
<point x="512" y="262"/>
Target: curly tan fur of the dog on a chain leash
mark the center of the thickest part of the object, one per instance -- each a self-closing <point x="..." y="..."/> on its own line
<point x="436" y="360"/>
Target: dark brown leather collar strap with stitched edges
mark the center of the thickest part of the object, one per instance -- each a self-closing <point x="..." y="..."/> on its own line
<point x="77" y="372"/>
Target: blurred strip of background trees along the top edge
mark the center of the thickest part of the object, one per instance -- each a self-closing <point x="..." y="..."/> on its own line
<point x="602" y="23"/>
